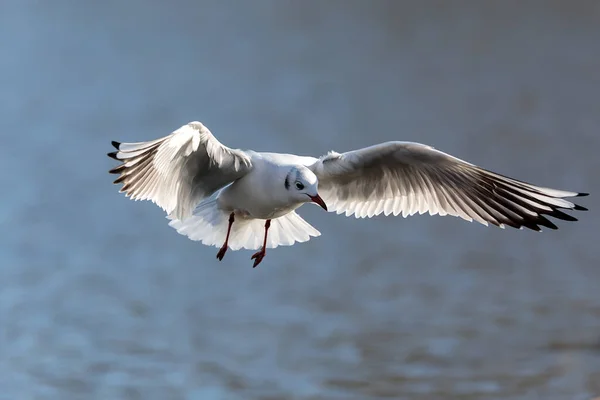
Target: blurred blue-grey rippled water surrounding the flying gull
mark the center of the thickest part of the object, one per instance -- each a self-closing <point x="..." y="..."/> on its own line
<point x="101" y="299"/>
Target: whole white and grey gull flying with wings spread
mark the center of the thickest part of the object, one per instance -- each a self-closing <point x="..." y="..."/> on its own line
<point x="231" y="198"/>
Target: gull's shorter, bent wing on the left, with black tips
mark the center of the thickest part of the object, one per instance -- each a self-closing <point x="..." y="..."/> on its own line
<point x="179" y="170"/>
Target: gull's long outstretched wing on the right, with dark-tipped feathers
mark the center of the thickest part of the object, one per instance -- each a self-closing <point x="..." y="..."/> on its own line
<point x="405" y="177"/>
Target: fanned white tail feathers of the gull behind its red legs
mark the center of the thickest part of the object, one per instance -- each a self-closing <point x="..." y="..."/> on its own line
<point x="209" y="223"/>
